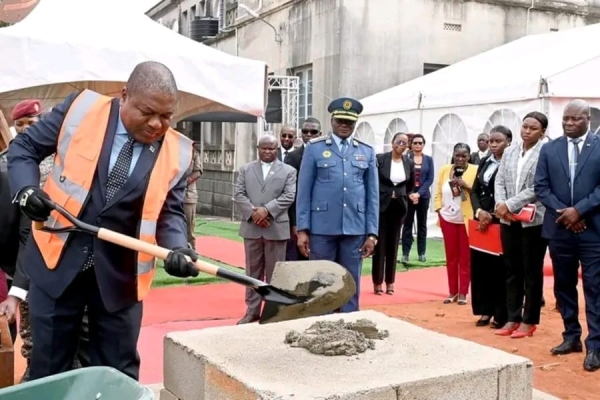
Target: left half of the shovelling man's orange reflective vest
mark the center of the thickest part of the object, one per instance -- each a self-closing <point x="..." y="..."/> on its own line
<point x="77" y="154"/>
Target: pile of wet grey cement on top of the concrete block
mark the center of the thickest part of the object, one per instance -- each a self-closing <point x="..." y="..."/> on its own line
<point x="337" y="338"/>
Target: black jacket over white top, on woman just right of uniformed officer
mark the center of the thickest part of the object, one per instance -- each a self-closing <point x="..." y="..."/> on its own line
<point x="386" y="187"/>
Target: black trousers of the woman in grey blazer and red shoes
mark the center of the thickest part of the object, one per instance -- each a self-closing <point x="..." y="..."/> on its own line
<point x="524" y="251"/>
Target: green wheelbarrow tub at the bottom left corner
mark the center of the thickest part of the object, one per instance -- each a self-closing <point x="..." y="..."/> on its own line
<point x="93" y="383"/>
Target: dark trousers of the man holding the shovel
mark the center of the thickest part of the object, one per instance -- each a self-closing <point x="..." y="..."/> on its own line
<point x="56" y="326"/>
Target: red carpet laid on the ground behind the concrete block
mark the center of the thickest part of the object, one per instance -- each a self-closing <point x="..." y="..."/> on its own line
<point x="196" y="307"/>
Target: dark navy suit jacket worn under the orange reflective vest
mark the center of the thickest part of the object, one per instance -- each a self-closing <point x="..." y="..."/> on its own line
<point x="115" y="266"/>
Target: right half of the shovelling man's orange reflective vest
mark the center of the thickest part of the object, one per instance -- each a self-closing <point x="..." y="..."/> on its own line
<point x="173" y="162"/>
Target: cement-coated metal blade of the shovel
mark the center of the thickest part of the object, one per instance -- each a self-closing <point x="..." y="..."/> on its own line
<point x="325" y="285"/>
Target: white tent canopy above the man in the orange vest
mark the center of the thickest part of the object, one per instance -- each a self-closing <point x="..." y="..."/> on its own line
<point x="66" y="45"/>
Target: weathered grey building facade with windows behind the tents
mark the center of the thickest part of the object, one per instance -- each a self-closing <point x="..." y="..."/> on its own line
<point x="347" y="47"/>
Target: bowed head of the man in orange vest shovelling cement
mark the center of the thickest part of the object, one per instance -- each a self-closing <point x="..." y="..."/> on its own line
<point x="149" y="101"/>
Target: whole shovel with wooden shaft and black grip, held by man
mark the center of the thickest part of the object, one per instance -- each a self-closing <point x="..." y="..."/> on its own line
<point x="276" y="299"/>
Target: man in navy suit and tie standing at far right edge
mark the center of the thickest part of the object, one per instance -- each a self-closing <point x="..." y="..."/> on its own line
<point x="567" y="182"/>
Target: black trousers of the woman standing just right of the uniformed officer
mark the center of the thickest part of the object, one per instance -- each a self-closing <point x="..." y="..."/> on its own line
<point x="386" y="251"/>
